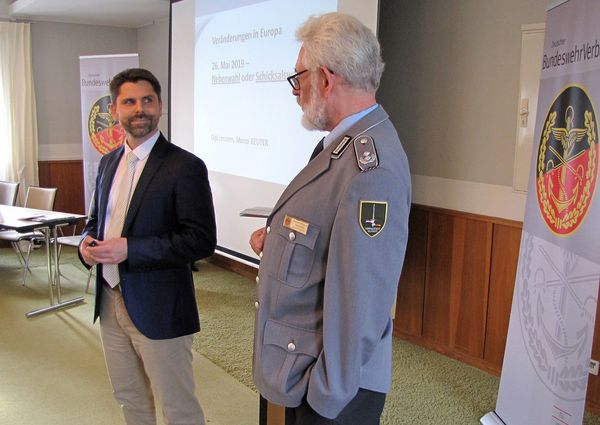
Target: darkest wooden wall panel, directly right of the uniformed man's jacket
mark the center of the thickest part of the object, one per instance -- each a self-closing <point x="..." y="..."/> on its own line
<point x="411" y="290"/>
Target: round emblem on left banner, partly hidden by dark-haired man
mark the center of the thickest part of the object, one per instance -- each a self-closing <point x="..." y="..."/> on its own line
<point x="105" y="133"/>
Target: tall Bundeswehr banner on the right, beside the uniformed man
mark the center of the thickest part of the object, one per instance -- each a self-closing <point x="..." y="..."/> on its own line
<point x="546" y="361"/>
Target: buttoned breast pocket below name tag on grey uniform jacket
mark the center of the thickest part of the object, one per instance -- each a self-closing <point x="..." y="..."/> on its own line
<point x="298" y="255"/>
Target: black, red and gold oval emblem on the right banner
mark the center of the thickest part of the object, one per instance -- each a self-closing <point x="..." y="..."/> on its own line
<point x="567" y="161"/>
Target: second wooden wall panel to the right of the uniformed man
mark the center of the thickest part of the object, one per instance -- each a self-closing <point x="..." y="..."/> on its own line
<point x="436" y="305"/>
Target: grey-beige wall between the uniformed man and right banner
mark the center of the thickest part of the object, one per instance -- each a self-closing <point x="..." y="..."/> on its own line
<point x="451" y="86"/>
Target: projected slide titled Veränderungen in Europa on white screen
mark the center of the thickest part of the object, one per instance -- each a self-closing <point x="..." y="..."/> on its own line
<point x="247" y="122"/>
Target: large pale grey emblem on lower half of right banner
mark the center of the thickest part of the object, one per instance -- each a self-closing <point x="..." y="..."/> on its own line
<point x="557" y="301"/>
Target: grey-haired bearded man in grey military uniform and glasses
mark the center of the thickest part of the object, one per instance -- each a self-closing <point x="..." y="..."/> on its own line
<point x="334" y="244"/>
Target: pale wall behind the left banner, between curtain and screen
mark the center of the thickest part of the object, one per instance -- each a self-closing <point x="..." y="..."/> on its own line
<point x="56" y="48"/>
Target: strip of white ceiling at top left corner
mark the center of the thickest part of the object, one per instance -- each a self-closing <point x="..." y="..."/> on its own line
<point x="116" y="13"/>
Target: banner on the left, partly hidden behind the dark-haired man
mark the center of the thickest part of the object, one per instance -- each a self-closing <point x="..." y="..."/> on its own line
<point x="100" y="133"/>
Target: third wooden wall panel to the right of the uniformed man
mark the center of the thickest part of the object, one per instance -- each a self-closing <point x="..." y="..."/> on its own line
<point x="470" y="285"/>
